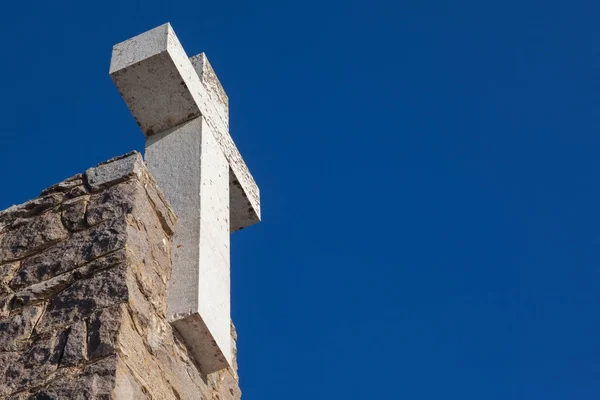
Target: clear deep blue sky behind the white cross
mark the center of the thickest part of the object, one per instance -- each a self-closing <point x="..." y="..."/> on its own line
<point x="430" y="176"/>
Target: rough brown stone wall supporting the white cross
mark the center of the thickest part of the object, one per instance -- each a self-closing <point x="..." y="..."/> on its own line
<point x="83" y="277"/>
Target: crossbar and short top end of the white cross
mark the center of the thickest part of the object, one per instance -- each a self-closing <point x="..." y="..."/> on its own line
<point x="163" y="88"/>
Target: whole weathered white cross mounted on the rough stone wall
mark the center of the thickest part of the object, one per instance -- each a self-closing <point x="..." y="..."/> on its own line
<point x="183" y="110"/>
